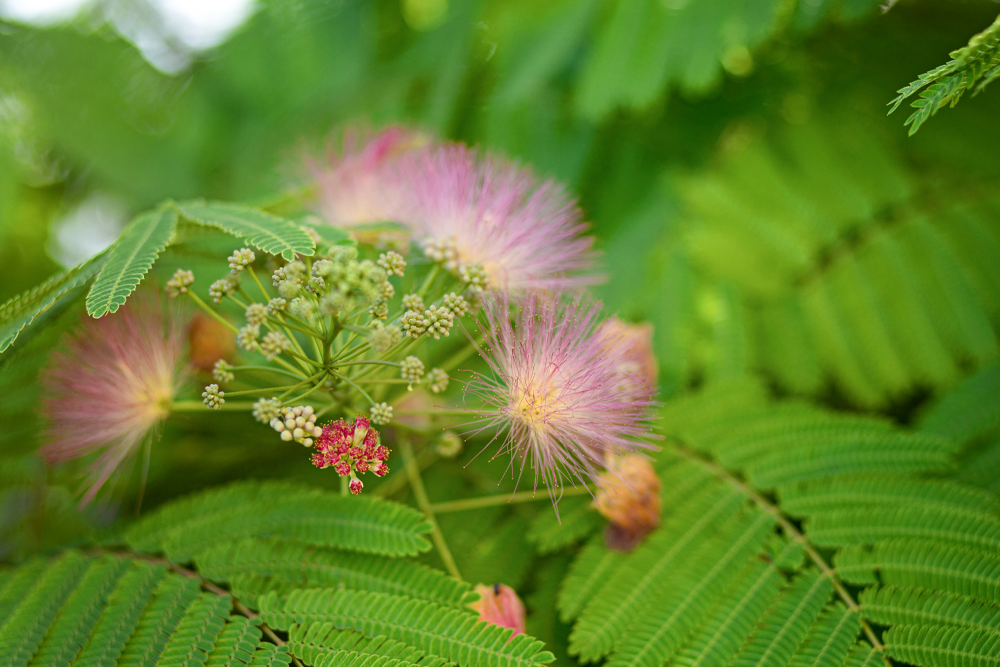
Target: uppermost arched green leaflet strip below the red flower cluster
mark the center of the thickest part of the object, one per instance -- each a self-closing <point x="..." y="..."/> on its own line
<point x="185" y="528"/>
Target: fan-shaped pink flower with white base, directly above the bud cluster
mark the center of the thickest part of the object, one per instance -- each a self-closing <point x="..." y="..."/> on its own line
<point x="493" y="223"/>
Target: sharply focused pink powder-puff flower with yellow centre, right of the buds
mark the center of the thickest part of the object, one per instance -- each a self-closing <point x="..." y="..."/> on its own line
<point x="555" y="390"/>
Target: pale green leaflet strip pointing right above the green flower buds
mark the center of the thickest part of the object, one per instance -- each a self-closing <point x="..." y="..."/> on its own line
<point x="265" y="231"/>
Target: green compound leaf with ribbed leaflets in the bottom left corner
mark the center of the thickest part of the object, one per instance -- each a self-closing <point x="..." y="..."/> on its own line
<point x="100" y="610"/>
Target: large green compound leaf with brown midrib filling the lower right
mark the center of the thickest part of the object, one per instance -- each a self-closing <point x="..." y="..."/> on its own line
<point x="723" y="580"/>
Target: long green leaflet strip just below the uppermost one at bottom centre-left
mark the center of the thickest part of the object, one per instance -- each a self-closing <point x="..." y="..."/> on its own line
<point x="296" y="565"/>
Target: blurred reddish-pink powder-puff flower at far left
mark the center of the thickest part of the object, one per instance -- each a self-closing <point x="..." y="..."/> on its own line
<point x="111" y="388"/>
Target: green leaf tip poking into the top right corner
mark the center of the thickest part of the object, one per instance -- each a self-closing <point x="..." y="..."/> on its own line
<point x="971" y="68"/>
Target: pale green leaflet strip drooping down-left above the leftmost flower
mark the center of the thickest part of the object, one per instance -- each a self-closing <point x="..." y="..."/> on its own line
<point x="129" y="259"/>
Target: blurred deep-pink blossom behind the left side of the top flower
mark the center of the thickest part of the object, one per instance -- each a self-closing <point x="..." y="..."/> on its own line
<point x="360" y="185"/>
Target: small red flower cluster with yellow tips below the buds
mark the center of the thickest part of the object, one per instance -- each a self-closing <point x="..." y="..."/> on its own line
<point x="351" y="449"/>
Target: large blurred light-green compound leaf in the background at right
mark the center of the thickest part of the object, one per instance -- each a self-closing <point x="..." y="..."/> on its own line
<point x="844" y="276"/>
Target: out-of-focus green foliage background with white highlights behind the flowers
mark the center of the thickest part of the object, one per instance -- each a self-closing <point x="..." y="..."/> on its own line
<point x="750" y="195"/>
